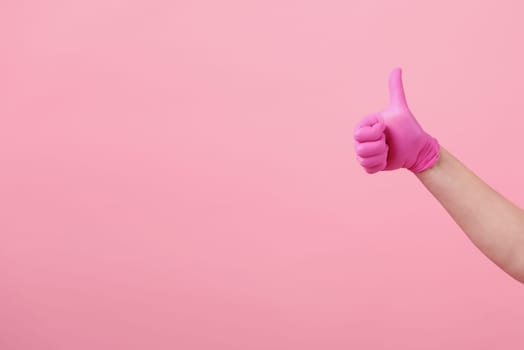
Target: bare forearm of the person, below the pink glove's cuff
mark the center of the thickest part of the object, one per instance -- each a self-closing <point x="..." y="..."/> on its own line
<point x="493" y="223"/>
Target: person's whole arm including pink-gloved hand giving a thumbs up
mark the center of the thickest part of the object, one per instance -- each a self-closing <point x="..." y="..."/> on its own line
<point x="393" y="139"/>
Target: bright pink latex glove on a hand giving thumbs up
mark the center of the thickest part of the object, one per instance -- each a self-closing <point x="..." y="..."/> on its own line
<point x="393" y="139"/>
